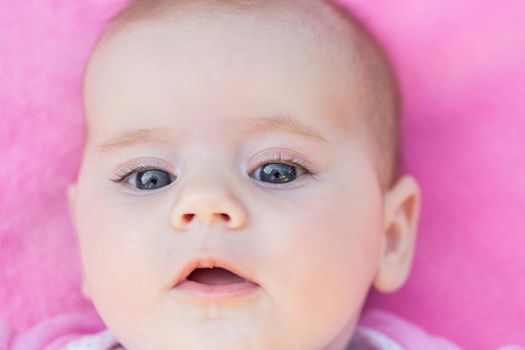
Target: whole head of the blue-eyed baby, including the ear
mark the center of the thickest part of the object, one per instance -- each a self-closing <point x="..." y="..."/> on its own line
<point x="256" y="137"/>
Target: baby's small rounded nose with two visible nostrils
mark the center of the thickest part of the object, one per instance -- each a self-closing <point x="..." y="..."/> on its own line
<point x="208" y="205"/>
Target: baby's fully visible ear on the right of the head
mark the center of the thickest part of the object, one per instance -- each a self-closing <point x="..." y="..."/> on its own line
<point x="401" y="207"/>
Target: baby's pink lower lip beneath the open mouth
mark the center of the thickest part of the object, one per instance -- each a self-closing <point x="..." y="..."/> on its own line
<point x="216" y="291"/>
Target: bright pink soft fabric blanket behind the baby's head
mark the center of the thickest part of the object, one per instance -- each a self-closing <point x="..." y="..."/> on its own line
<point x="461" y="65"/>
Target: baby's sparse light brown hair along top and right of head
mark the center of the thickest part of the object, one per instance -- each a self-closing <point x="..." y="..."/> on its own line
<point x="382" y="87"/>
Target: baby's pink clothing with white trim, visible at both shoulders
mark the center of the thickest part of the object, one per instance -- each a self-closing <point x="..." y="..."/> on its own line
<point x="377" y="330"/>
